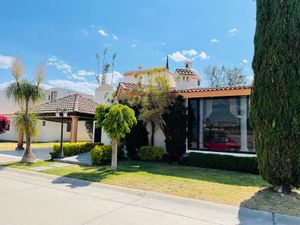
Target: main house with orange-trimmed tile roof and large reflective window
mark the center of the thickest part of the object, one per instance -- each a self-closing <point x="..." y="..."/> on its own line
<point x="218" y="118"/>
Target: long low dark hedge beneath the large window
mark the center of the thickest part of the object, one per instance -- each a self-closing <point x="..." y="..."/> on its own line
<point x="225" y="162"/>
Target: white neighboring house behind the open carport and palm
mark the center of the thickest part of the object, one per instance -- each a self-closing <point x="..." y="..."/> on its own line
<point x="48" y="131"/>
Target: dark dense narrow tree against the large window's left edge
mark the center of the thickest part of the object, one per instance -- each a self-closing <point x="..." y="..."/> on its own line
<point x="174" y="128"/>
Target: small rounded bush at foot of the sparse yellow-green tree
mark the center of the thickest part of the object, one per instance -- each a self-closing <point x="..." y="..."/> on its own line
<point x="150" y="153"/>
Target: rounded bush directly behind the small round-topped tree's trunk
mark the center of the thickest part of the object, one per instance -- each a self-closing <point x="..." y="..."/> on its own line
<point x="101" y="155"/>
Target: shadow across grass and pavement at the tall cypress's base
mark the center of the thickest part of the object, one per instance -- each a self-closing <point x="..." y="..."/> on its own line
<point x="269" y="201"/>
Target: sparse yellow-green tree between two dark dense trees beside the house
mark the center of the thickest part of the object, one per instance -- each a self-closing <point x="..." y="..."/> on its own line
<point x="153" y="99"/>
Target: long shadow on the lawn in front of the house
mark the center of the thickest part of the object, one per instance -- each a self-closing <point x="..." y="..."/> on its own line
<point x="96" y="174"/>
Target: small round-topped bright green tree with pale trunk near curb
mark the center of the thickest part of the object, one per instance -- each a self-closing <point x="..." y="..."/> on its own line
<point x="116" y="120"/>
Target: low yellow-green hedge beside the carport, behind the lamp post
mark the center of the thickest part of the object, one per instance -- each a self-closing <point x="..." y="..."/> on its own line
<point x="71" y="149"/>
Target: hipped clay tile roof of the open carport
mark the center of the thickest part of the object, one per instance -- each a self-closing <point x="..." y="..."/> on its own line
<point x="72" y="103"/>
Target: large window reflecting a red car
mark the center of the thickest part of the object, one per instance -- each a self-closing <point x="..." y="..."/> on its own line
<point x="220" y="124"/>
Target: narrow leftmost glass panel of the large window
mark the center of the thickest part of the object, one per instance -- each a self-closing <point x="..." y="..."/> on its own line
<point x="193" y="124"/>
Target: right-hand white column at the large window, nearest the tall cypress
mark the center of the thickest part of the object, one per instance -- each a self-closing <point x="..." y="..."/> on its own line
<point x="243" y="125"/>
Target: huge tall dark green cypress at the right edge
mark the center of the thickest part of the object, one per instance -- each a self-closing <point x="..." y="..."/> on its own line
<point x="275" y="98"/>
